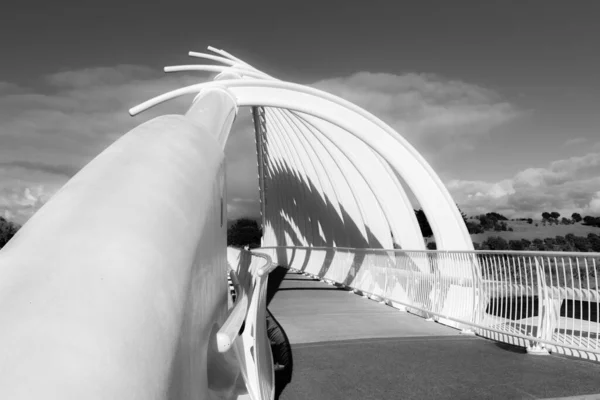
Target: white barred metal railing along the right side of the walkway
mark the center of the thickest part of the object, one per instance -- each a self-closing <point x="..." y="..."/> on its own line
<point x="539" y="300"/>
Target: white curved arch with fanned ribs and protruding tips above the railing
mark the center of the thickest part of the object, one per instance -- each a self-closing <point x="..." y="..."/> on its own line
<point x="321" y="145"/>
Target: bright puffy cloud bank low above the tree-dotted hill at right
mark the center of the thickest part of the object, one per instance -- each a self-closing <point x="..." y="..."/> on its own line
<point x="567" y="186"/>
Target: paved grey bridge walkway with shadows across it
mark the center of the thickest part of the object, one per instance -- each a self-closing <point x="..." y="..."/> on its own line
<point x="347" y="347"/>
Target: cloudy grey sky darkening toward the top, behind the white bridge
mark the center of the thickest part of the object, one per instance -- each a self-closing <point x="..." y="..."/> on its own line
<point x="502" y="98"/>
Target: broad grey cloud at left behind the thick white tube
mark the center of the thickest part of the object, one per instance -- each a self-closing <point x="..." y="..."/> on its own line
<point x="50" y="131"/>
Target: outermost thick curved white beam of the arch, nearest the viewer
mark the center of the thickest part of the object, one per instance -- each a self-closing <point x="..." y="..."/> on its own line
<point x="444" y="218"/>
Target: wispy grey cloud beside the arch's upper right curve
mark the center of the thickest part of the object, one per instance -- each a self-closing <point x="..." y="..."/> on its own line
<point x="431" y="112"/>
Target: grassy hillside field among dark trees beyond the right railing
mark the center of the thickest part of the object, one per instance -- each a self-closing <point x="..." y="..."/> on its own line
<point x="523" y="230"/>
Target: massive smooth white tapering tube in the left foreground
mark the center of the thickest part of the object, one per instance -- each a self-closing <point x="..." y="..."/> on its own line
<point x="114" y="288"/>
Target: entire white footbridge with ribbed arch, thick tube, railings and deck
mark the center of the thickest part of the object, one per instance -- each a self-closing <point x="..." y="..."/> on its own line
<point x="117" y="287"/>
